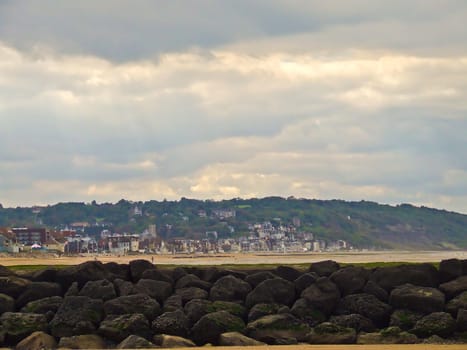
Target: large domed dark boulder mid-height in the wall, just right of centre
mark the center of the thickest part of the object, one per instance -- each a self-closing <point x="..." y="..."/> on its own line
<point x="276" y="290"/>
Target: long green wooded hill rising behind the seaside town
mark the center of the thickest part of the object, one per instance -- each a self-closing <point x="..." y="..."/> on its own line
<point x="363" y="224"/>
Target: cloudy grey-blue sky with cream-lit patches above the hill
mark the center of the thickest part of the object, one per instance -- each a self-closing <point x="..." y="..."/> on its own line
<point x="354" y="100"/>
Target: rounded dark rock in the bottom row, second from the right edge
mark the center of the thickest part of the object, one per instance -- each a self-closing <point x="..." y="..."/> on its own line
<point x="437" y="323"/>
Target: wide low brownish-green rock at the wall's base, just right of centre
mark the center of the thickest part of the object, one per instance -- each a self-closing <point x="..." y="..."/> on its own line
<point x="280" y="326"/>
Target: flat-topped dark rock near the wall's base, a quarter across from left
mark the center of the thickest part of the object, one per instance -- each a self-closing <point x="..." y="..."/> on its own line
<point x="119" y="327"/>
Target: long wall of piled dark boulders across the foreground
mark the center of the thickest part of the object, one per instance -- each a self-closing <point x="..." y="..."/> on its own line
<point x="140" y="305"/>
